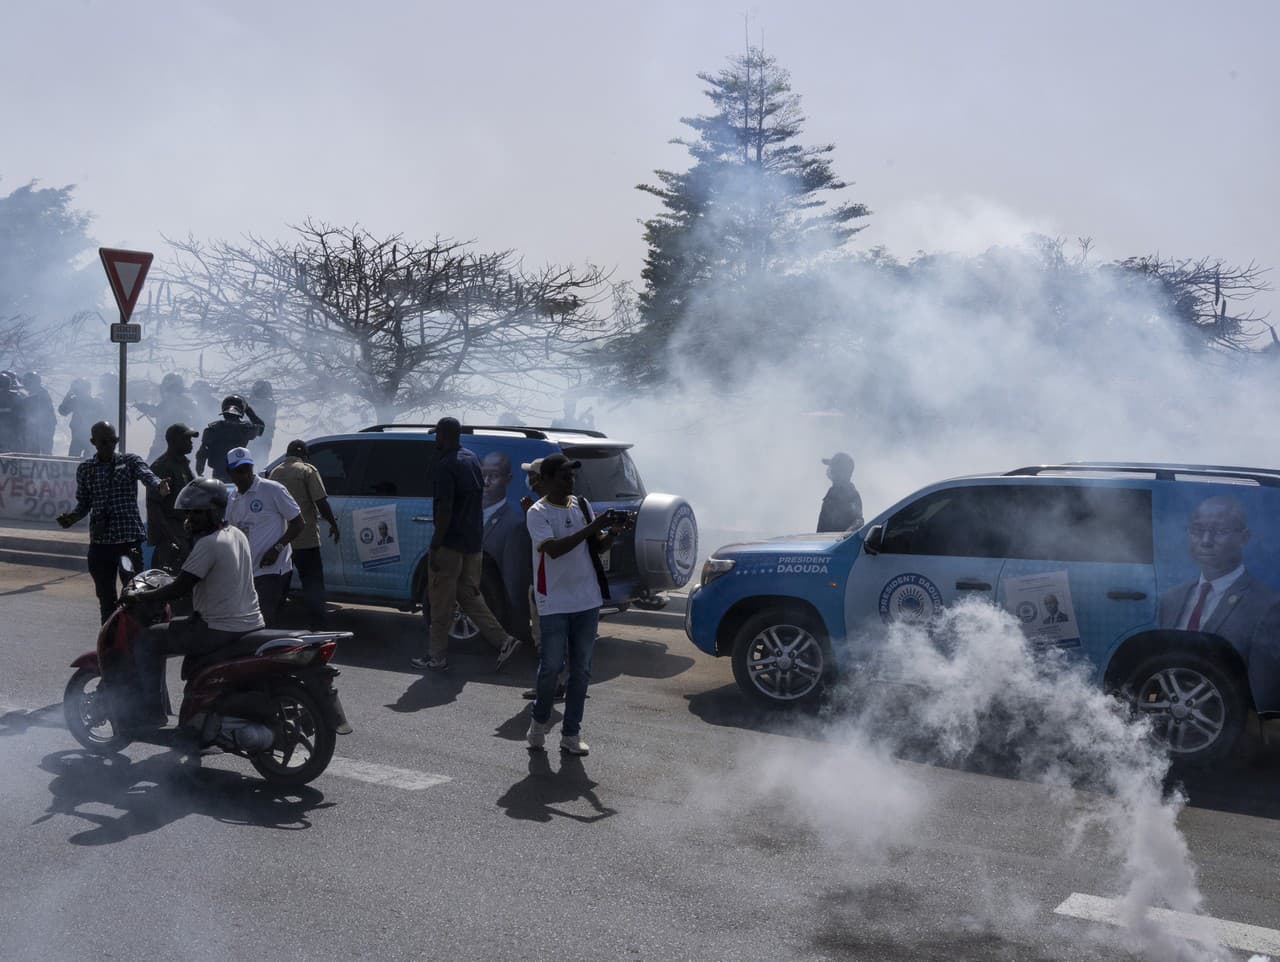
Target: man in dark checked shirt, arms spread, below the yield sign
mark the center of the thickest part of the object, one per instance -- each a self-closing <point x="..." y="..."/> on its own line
<point x="107" y="491"/>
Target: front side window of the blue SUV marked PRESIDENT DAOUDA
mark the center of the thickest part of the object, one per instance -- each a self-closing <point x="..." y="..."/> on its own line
<point x="962" y="523"/>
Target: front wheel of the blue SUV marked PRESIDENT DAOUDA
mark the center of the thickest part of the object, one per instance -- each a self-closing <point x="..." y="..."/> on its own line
<point x="781" y="659"/>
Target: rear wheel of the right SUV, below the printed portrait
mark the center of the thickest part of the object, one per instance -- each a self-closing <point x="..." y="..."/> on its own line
<point x="1196" y="707"/>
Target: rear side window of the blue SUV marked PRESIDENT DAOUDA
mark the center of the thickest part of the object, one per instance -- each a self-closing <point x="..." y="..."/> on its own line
<point x="1084" y="524"/>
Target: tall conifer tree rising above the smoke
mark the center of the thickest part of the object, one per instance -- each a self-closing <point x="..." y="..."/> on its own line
<point x="739" y="228"/>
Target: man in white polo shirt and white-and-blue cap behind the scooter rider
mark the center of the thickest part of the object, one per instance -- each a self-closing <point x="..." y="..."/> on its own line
<point x="271" y="519"/>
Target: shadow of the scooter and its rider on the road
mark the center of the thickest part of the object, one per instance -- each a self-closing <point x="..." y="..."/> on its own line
<point x="158" y="791"/>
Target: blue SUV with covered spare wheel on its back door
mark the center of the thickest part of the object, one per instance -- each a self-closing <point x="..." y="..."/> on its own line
<point x="380" y="485"/>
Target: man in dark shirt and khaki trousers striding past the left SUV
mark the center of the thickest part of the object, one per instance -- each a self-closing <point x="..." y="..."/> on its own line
<point x="455" y="558"/>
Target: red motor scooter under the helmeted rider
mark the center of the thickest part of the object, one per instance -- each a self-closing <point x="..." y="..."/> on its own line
<point x="268" y="698"/>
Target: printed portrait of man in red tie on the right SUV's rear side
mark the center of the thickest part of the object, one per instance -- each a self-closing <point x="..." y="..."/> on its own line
<point x="1227" y="599"/>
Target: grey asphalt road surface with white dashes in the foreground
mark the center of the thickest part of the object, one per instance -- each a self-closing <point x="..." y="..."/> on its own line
<point x="696" y="830"/>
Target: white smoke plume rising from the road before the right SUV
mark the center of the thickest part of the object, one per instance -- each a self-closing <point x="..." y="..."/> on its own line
<point x="967" y="690"/>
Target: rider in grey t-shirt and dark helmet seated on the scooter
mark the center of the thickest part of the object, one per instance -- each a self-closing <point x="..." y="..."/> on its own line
<point x="218" y="575"/>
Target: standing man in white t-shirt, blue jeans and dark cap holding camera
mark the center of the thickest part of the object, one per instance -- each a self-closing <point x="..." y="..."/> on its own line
<point x="569" y="590"/>
